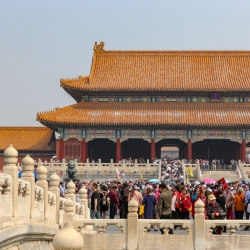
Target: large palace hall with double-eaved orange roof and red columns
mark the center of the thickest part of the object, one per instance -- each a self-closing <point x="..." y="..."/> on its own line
<point x="133" y="103"/>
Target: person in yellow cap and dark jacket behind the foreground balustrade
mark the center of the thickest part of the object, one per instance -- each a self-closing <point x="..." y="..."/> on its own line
<point x="214" y="212"/>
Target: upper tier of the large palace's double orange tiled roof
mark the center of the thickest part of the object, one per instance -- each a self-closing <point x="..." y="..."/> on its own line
<point x="166" y="71"/>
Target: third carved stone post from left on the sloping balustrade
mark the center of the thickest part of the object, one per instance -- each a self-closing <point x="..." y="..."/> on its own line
<point x="42" y="182"/>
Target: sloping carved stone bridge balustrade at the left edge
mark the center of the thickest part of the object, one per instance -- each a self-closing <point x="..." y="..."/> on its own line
<point x="29" y="210"/>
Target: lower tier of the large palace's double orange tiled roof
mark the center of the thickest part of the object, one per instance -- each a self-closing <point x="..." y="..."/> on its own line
<point x="152" y="114"/>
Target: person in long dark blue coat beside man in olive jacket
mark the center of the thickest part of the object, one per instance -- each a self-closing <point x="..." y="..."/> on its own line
<point x="149" y="200"/>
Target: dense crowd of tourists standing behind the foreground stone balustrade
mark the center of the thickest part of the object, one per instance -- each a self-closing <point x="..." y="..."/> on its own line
<point x="161" y="201"/>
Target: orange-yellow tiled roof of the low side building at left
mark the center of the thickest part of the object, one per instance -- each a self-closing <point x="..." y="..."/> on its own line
<point x="26" y="138"/>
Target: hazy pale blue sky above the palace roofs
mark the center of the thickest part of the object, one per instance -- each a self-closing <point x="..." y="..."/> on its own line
<point x="43" y="41"/>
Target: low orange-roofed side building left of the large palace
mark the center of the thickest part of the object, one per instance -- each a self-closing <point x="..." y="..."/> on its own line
<point x="38" y="142"/>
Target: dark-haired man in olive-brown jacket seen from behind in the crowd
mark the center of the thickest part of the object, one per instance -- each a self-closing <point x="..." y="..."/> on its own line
<point x="164" y="205"/>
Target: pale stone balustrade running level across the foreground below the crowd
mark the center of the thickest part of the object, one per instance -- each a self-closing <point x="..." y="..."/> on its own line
<point x="133" y="234"/>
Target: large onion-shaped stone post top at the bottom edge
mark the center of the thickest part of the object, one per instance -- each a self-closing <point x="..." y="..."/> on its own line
<point x="68" y="239"/>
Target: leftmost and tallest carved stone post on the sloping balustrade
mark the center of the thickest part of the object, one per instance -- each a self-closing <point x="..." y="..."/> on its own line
<point x="10" y="167"/>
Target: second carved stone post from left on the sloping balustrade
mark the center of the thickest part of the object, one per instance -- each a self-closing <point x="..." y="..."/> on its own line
<point x="28" y="175"/>
